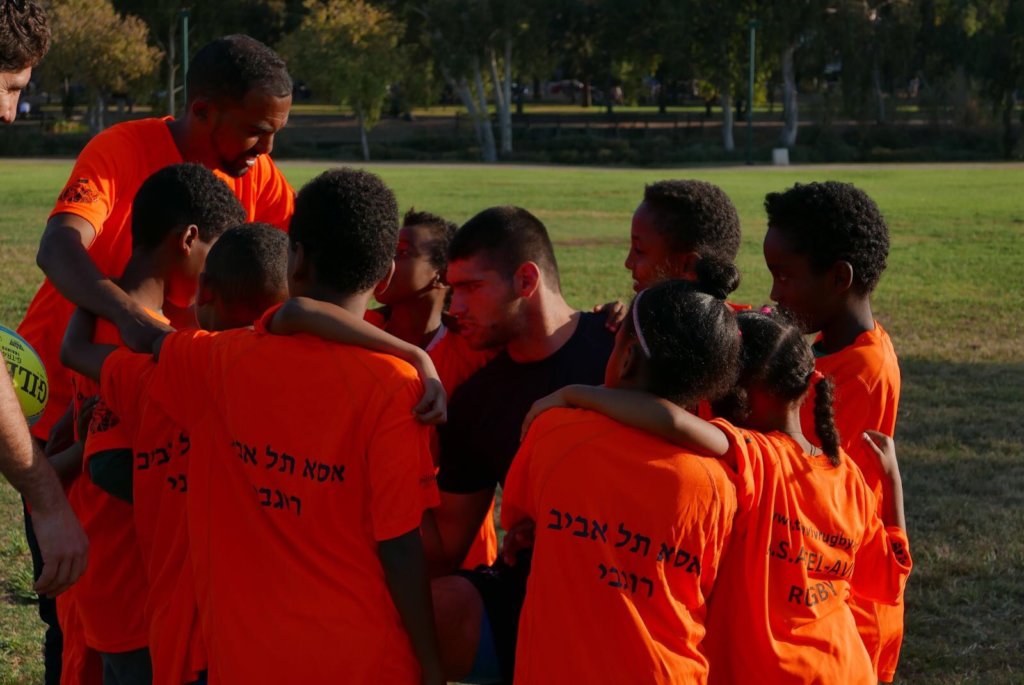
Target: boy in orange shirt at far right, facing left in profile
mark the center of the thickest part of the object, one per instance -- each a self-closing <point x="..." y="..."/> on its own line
<point x="827" y="247"/>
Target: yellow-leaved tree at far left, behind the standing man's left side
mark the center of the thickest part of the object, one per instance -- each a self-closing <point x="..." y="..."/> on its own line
<point x="98" y="49"/>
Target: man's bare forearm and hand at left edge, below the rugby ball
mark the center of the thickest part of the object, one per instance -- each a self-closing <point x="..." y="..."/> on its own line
<point x="62" y="540"/>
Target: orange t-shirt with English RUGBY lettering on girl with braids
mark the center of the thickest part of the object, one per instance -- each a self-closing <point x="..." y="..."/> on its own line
<point x="808" y="538"/>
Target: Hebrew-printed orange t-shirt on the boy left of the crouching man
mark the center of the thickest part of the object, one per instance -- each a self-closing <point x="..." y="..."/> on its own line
<point x="310" y="457"/>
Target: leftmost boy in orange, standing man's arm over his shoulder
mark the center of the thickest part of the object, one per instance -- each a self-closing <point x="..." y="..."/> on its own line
<point x="178" y="215"/>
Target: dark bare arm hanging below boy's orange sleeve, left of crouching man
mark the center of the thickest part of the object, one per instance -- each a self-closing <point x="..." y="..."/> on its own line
<point x="405" y="573"/>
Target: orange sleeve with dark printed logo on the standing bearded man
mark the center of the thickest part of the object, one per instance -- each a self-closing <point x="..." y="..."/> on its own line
<point x="92" y="190"/>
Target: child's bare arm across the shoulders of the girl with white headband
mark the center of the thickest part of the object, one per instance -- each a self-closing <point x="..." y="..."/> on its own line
<point x="639" y="410"/>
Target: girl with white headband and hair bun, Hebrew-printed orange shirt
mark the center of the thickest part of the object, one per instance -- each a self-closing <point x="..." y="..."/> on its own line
<point x="621" y="575"/>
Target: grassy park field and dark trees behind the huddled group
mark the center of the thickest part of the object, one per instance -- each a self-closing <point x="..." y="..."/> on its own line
<point x="617" y="85"/>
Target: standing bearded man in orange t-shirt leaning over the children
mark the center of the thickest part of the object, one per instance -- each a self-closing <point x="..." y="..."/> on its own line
<point x="239" y="98"/>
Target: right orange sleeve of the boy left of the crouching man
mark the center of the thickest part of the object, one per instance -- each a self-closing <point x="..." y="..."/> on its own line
<point x="399" y="462"/>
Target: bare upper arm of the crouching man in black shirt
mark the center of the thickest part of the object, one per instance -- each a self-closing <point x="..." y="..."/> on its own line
<point x="449" y="531"/>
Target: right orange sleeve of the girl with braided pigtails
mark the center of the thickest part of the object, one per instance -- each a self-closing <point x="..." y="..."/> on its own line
<point x="883" y="561"/>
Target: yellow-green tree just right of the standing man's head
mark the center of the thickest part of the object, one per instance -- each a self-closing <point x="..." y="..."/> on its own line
<point x="350" y="51"/>
